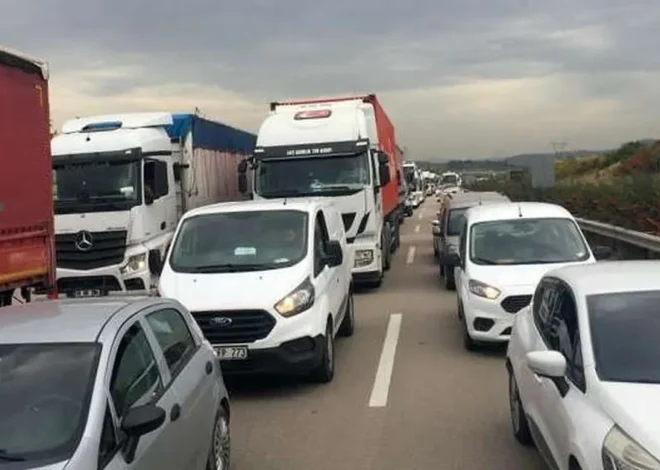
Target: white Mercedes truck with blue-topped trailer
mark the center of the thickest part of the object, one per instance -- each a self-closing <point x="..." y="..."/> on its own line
<point x="121" y="184"/>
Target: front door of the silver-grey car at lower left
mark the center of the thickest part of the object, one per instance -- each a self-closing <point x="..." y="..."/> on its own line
<point x="136" y="379"/>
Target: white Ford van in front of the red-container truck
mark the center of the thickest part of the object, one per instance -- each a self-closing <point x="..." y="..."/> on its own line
<point x="268" y="282"/>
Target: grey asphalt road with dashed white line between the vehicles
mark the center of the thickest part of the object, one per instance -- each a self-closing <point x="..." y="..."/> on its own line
<point x="426" y="404"/>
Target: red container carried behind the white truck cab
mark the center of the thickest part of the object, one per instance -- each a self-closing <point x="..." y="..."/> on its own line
<point x="387" y="144"/>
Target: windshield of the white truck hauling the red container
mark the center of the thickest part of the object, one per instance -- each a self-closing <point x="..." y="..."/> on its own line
<point x="313" y="176"/>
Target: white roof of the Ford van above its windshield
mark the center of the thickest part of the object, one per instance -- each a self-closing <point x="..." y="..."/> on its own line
<point x="300" y="204"/>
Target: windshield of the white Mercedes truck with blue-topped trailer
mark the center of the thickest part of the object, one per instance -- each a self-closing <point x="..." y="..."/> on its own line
<point x="96" y="186"/>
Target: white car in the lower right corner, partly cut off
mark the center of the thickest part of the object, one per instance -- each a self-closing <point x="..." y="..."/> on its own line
<point x="583" y="363"/>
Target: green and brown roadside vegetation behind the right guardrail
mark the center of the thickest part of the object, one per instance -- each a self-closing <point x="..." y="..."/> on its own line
<point x="621" y="187"/>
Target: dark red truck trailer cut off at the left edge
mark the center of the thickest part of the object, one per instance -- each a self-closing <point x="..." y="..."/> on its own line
<point x="27" y="253"/>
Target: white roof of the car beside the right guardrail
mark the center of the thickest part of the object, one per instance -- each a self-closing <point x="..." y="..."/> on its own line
<point x="516" y="210"/>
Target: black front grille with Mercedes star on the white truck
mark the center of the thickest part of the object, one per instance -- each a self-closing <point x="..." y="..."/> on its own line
<point x="107" y="248"/>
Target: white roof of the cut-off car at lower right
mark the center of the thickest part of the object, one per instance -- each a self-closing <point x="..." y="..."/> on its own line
<point x="611" y="276"/>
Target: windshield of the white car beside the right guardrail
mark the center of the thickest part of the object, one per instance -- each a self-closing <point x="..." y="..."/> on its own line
<point x="527" y="241"/>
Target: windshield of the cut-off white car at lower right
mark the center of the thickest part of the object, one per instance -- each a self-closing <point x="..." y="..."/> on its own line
<point x="624" y="332"/>
